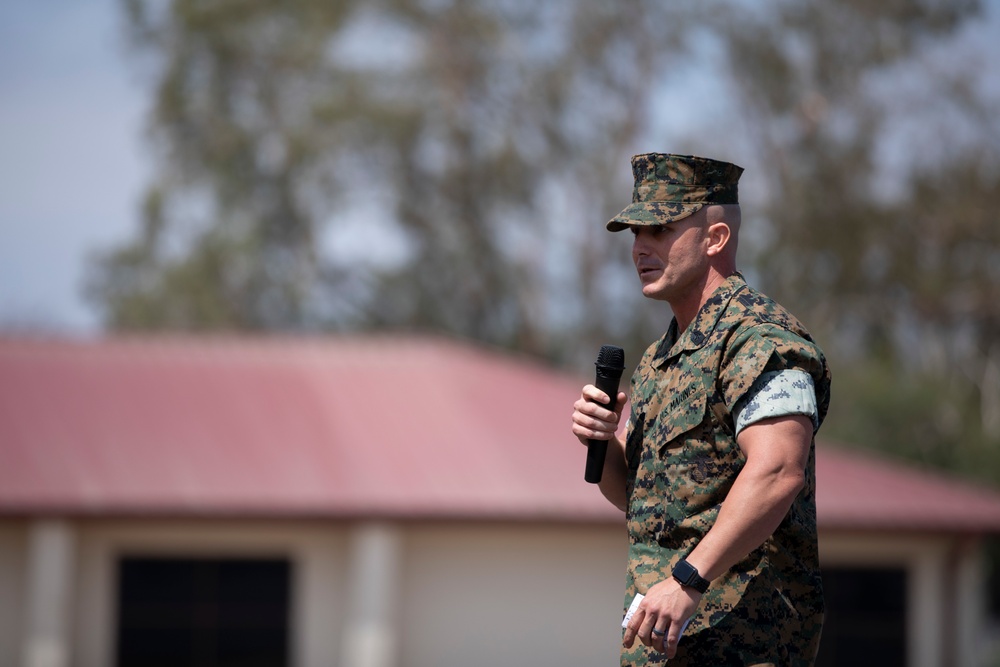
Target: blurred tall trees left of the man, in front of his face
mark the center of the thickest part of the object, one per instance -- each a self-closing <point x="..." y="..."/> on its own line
<point x="466" y="144"/>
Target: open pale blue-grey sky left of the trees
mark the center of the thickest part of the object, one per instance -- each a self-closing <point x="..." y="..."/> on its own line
<point x="73" y="157"/>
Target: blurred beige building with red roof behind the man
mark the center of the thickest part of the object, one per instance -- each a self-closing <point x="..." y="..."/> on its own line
<point x="385" y="502"/>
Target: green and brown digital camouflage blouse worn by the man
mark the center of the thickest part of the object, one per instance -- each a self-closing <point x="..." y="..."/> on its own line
<point x="683" y="458"/>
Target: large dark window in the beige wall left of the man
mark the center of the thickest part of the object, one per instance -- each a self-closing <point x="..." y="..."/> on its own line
<point x="200" y="612"/>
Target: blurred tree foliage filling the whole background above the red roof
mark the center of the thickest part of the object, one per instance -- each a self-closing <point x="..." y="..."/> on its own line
<point x="448" y="166"/>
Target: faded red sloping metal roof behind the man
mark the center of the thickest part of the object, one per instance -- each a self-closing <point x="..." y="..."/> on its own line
<point x="376" y="426"/>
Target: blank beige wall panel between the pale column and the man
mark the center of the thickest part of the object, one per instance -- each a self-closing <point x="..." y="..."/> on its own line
<point x="500" y="595"/>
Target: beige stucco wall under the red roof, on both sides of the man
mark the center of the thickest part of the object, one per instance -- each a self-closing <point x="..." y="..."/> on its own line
<point x="440" y="594"/>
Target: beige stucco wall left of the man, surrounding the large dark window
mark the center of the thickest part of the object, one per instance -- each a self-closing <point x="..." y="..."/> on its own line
<point x="463" y="593"/>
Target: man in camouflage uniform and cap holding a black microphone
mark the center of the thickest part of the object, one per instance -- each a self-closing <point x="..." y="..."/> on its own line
<point x="716" y="471"/>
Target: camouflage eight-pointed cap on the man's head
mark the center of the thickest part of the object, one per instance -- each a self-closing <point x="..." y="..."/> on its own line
<point x="671" y="187"/>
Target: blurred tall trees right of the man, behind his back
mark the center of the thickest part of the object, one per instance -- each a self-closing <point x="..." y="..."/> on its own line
<point x="888" y="245"/>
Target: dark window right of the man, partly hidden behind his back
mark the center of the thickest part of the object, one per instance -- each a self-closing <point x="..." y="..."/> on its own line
<point x="865" y="617"/>
